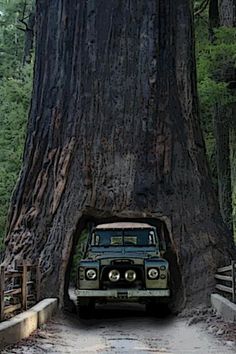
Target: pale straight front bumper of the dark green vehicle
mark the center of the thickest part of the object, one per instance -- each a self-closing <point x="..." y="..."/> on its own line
<point x="123" y="293"/>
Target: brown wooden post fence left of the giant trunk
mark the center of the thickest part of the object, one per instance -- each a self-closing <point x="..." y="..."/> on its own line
<point x="19" y="289"/>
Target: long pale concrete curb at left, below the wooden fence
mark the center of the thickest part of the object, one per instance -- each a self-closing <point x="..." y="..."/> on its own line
<point x="22" y="325"/>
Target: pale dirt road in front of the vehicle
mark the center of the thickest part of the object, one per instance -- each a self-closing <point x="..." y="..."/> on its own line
<point x="123" y="330"/>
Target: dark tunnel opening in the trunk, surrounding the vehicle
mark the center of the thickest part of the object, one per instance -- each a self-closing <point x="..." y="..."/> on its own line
<point x="167" y="248"/>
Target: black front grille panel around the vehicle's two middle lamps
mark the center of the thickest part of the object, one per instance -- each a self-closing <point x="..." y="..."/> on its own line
<point x="122" y="282"/>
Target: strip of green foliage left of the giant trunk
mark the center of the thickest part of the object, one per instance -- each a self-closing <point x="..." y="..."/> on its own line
<point x="15" y="93"/>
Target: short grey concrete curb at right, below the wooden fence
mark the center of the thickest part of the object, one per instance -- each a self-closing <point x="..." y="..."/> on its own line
<point x="224" y="307"/>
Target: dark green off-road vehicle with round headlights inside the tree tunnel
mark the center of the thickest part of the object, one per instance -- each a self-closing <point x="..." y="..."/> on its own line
<point x="122" y="262"/>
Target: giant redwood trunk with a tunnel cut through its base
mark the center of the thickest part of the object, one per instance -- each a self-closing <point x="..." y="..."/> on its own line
<point x="114" y="133"/>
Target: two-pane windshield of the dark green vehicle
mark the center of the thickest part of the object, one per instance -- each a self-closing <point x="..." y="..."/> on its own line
<point x="126" y="237"/>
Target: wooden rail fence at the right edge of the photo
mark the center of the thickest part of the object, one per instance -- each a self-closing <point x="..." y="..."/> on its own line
<point x="226" y="281"/>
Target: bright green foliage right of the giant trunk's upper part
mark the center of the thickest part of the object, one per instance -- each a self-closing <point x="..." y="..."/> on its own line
<point x="214" y="62"/>
